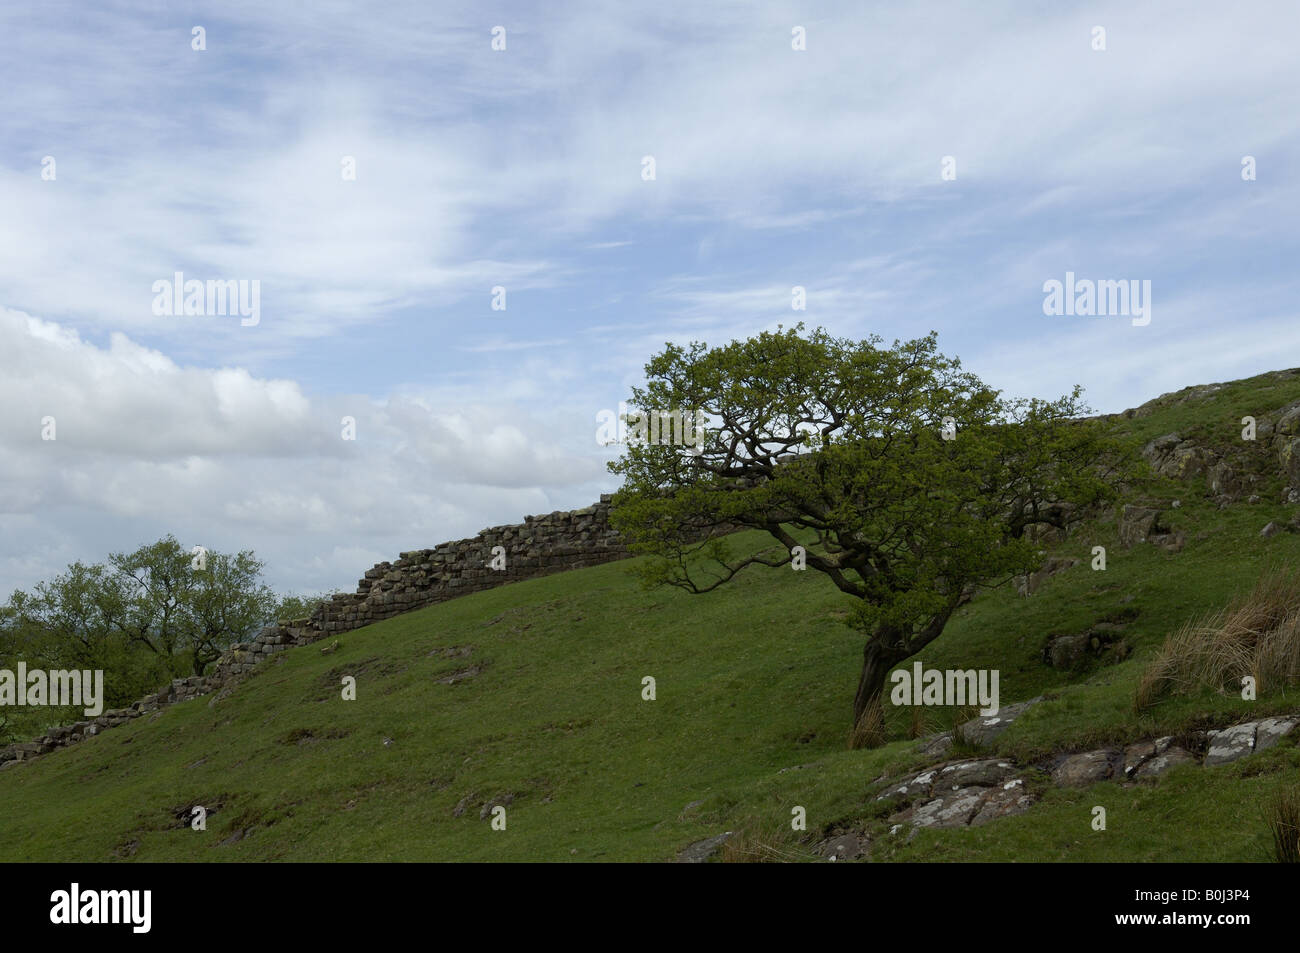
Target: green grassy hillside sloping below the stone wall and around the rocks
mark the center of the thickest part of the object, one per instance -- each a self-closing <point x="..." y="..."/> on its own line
<point x="753" y="679"/>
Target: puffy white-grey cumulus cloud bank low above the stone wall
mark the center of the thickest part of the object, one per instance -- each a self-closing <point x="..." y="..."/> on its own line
<point x="231" y="461"/>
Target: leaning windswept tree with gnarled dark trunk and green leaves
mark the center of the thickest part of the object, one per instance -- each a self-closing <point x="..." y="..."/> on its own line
<point x="907" y="482"/>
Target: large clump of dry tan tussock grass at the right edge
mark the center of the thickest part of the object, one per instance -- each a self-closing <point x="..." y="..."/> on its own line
<point x="1256" y="635"/>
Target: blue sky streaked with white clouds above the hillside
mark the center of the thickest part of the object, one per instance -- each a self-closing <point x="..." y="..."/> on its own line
<point x="380" y="170"/>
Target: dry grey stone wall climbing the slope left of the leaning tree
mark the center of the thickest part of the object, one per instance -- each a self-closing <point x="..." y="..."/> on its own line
<point x="539" y="547"/>
